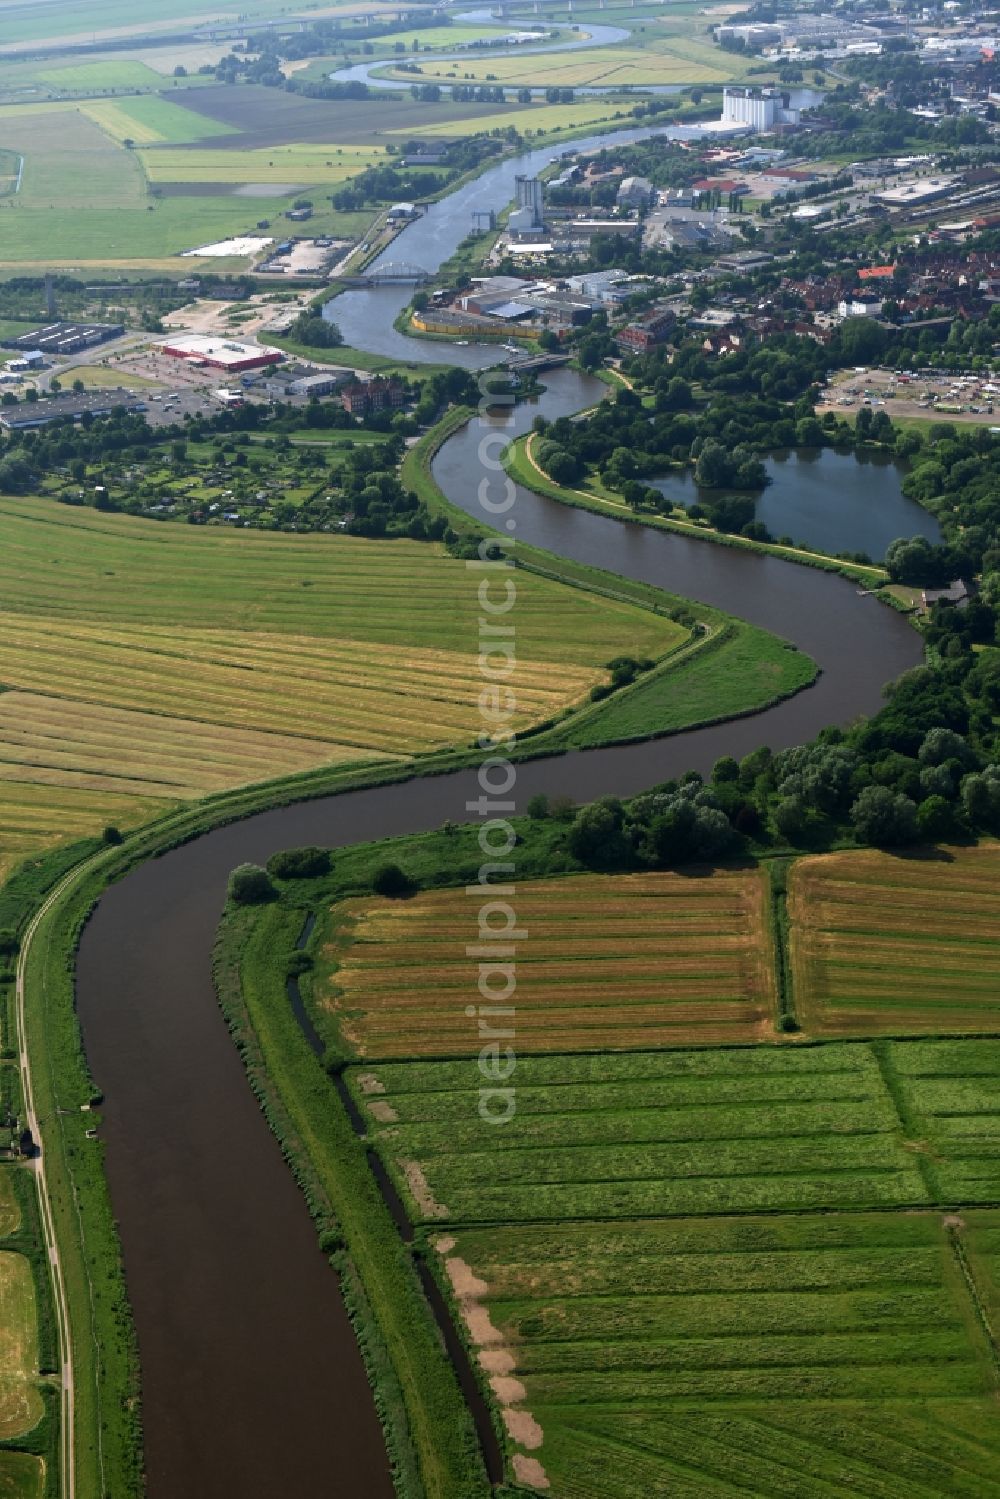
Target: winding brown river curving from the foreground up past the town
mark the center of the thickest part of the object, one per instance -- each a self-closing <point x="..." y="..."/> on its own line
<point x="253" y="1381"/>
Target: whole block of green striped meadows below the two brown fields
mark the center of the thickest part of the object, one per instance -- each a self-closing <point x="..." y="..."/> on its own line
<point x="768" y="1272"/>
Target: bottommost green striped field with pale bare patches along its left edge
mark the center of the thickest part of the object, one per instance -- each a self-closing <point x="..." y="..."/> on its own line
<point x="801" y="1356"/>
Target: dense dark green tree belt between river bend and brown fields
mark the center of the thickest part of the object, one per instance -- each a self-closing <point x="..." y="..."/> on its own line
<point x="926" y="768"/>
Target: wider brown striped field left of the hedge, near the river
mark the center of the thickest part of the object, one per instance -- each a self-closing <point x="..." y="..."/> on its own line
<point x="615" y="962"/>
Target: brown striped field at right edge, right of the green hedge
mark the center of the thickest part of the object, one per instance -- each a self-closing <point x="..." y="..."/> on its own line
<point x="893" y="945"/>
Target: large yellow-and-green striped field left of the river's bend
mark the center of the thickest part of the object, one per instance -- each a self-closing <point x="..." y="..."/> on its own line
<point x="145" y="665"/>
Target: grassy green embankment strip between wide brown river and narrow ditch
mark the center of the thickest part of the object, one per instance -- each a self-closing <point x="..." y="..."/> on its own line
<point x="430" y="1432"/>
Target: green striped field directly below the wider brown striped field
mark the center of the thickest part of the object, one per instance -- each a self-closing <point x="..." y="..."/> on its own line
<point x="647" y="1135"/>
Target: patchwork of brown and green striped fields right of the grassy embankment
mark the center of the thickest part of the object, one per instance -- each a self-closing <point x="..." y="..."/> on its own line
<point x="695" y="1269"/>
